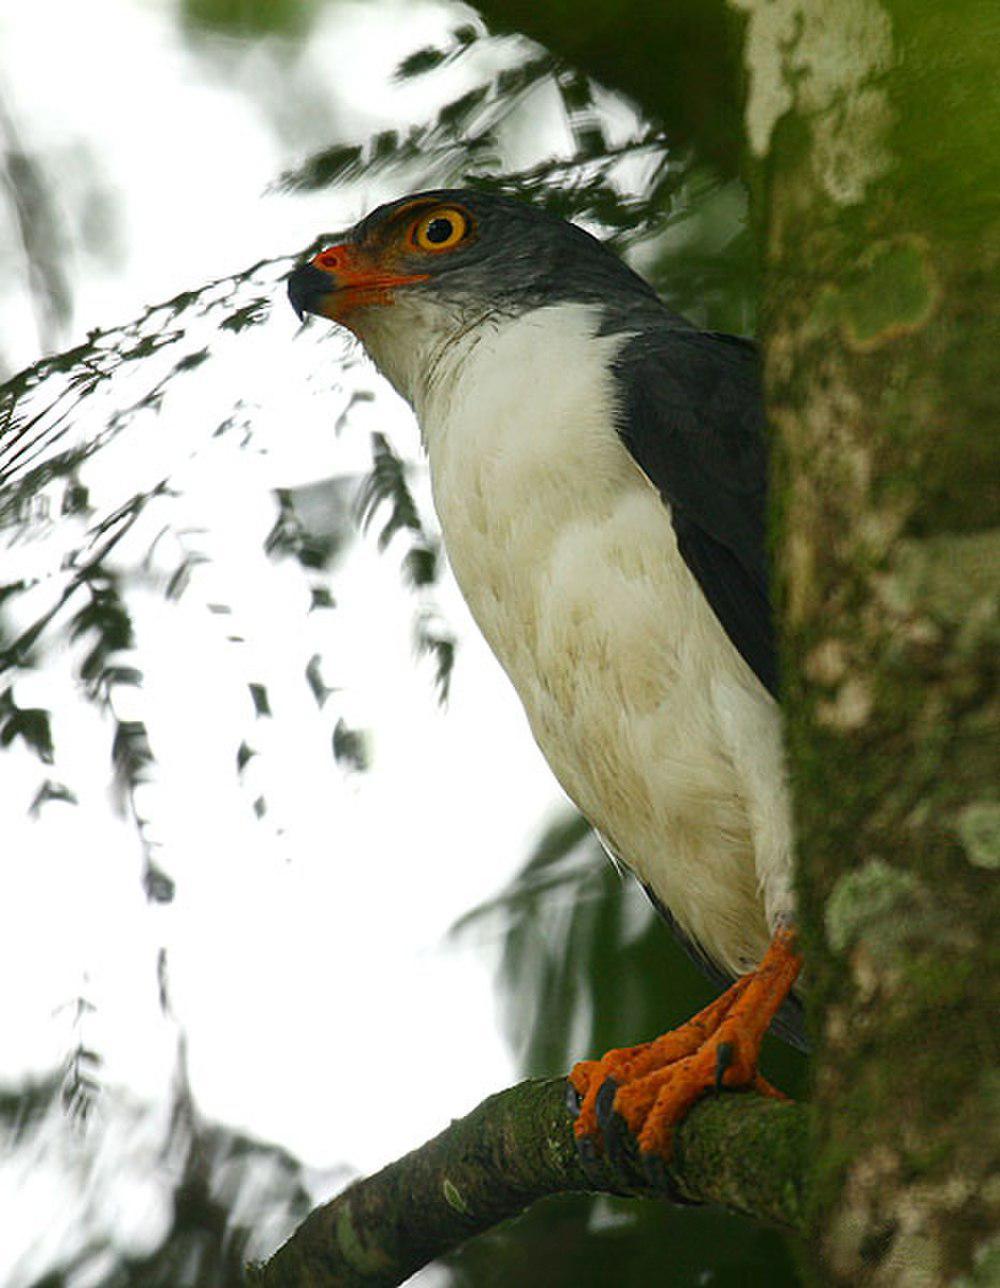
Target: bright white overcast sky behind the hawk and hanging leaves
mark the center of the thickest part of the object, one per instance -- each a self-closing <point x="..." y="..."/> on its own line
<point x="307" y="961"/>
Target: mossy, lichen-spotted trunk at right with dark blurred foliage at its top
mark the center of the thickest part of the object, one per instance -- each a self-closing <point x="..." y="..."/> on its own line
<point x="872" y="136"/>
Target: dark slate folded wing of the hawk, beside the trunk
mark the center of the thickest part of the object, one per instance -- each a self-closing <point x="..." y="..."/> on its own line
<point x="693" y="419"/>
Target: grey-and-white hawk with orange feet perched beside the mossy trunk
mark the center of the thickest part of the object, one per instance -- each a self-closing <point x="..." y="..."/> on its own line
<point x="600" y="471"/>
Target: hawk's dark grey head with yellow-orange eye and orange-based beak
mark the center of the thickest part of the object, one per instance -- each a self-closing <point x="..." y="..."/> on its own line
<point x="419" y="272"/>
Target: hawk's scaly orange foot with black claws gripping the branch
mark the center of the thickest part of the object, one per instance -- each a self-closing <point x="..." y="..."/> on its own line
<point x="650" y="1088"/>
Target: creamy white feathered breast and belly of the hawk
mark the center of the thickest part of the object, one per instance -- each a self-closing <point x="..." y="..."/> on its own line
<point x="569" y="562"/>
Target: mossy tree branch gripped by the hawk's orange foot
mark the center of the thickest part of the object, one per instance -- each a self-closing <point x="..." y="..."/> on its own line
<point x="736" y="1150"/>
